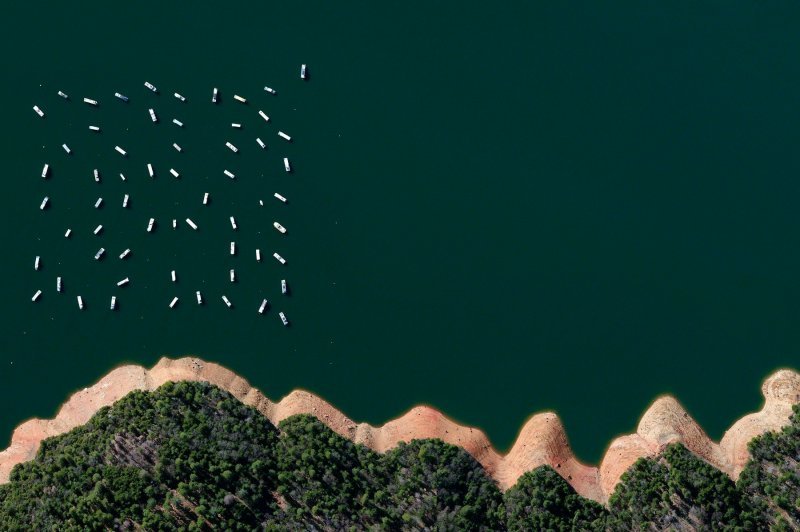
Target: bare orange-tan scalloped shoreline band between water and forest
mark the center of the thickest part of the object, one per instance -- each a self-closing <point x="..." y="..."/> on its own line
<point x="541" y="441"/>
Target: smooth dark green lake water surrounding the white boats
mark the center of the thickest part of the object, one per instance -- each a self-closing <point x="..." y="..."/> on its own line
<point x="495" y="210"/>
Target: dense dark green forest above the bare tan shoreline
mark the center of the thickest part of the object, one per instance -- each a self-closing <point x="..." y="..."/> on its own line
<point x="190" y="456"/>
